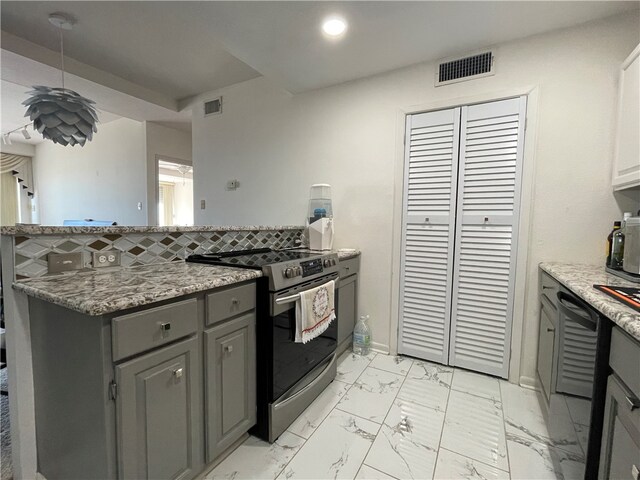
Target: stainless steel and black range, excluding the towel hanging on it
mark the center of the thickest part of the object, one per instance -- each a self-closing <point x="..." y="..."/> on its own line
<point x="290" y="375"/>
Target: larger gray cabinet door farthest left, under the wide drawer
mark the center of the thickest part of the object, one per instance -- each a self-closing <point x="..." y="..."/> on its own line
<point x="158" y="411"/>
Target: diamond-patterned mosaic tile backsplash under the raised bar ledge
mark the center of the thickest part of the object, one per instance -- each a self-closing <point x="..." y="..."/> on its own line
<point x="144" y="248"/>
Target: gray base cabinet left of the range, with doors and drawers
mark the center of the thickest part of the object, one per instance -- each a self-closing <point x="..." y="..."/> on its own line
<point x="148" y="392"/>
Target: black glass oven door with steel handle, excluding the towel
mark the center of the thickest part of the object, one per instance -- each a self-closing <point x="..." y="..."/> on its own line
<point x="292" y="361"/>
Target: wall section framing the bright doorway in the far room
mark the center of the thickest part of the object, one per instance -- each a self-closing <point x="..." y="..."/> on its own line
<point x="168" y="143"/>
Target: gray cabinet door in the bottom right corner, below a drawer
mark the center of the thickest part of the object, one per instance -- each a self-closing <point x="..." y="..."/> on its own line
<point x="620" y="455"/>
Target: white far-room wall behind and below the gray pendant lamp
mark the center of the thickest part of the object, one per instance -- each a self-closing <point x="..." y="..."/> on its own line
<point x="103" y="180"/>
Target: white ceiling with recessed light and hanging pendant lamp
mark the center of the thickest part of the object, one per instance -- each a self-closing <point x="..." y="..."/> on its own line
<point x="142" y="59"/>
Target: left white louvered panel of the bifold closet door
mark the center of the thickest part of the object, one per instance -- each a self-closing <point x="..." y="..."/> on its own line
<point x="431" y="162"/>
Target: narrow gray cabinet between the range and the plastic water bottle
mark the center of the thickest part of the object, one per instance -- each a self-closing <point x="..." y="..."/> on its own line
<point x="346" y="309"/>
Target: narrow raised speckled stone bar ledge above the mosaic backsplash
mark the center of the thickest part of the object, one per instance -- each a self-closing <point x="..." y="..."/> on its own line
<point x="56" y="230"/>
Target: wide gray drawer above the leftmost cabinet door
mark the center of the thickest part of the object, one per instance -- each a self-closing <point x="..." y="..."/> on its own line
<point x="140" y="331"/>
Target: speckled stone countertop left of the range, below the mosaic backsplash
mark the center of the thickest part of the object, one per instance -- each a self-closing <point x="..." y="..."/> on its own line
<point x="98" y="292"/>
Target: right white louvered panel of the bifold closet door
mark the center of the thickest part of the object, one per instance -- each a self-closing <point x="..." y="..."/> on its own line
<point x="488" y="205"/>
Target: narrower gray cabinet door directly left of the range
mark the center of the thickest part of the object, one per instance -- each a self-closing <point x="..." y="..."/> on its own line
<point x="230" y="351"/>
